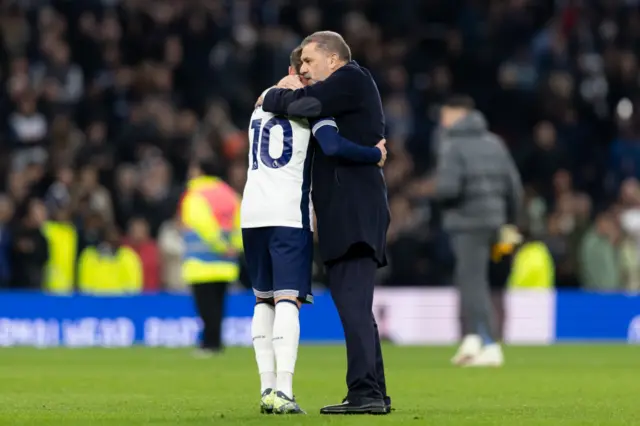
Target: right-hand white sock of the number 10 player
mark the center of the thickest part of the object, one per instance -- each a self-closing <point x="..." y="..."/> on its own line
<point x="286" y="336"/>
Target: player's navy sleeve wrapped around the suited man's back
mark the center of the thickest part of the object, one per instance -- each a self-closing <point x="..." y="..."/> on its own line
<point x="333" y="145"/>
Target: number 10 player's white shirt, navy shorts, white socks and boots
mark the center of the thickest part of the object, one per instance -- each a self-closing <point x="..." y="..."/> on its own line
<point x="276" y="220"/>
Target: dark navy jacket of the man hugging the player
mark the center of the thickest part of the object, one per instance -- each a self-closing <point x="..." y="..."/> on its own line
<point x="350" y="199"/>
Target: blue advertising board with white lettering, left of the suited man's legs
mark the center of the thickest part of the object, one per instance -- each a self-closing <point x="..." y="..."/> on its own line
<point x="168" y="320"/>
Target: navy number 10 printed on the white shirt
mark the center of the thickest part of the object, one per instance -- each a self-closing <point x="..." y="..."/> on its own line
<point x="263" y="139"/>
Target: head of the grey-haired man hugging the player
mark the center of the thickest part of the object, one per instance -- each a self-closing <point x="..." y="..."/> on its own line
<point x="323" y="52"/>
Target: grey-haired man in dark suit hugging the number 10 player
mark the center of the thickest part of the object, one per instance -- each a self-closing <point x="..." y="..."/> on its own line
<point x="351" y="205"/>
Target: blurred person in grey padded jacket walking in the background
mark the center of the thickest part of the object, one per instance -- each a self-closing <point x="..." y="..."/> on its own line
<point x="478" y="188"/>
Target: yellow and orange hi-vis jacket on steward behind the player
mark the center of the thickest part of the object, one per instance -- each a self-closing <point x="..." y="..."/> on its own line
<point x="210" y="219"/>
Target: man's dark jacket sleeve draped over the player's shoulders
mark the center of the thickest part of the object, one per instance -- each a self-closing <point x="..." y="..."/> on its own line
<point x="334" y="96"/>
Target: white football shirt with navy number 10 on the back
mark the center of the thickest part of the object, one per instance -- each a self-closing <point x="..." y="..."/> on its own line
<point x="277" y="192"/>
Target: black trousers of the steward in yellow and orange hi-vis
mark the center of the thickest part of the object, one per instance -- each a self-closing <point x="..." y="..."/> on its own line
<point x="209" y="300"/>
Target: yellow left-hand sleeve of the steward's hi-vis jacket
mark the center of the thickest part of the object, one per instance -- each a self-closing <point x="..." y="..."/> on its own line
<point x="196" y="215"/>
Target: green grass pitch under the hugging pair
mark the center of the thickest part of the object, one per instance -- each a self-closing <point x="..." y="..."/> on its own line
<point x="560" y="385"/>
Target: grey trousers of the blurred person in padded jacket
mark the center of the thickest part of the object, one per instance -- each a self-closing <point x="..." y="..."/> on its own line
<point x="471" y="277"/>
